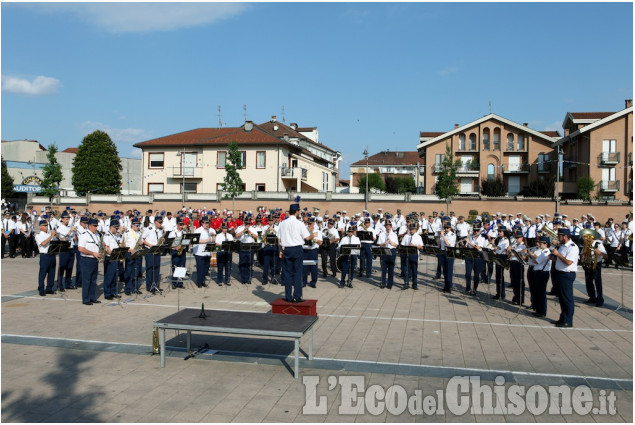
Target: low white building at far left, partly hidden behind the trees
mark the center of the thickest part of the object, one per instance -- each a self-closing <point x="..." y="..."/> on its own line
<point x="26" y="159"/>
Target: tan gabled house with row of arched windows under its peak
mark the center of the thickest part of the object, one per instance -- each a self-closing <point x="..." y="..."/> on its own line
<point x="489" y="148"/>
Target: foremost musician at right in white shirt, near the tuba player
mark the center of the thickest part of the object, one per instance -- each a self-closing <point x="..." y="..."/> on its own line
<point x="566" y="255"/>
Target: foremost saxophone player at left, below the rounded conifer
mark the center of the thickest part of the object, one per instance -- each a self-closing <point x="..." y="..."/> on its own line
<point x="88" y="246"/>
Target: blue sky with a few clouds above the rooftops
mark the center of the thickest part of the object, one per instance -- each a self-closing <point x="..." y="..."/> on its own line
<point x="366" y="74"/>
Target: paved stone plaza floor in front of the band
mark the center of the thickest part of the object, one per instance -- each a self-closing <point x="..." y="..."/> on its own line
<point x="66" y="362"/>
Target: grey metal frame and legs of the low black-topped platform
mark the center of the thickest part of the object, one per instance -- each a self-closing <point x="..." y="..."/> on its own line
<point x="162" y="326"/>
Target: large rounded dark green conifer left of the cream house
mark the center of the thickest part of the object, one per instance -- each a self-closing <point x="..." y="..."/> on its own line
<point x="97" y="166"/>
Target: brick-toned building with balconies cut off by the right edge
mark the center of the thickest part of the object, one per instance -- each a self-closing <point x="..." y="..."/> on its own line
<point x="598" y="145"/>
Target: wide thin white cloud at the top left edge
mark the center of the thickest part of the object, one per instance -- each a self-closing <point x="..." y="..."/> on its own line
<point x="146" y="17"/>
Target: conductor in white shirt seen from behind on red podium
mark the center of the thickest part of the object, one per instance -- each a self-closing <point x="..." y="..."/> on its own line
<point x="291" y="236"/>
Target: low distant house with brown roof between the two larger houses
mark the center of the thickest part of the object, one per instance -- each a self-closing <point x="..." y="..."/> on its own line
<point x="388" y="164"/>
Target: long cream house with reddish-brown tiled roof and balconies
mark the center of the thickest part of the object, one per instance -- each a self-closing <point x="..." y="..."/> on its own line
<point x="276" y="158"/>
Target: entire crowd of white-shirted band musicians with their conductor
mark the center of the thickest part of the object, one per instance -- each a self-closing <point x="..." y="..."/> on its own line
<point x="130" y="245"/>
